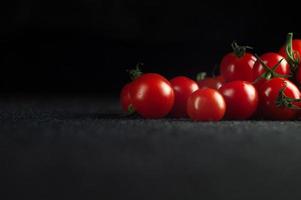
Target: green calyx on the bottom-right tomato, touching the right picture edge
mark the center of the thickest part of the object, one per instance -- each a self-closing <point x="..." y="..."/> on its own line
<point x="285" y="101"/>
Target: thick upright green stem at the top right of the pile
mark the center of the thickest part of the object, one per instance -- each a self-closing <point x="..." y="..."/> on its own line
<point x="293" y="57"/>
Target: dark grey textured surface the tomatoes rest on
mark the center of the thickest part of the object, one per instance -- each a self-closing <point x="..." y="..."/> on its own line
<point x="82" y="148"/>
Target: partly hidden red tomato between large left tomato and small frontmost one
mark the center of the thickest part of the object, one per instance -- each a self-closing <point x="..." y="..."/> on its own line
<point x="183" y="87"/>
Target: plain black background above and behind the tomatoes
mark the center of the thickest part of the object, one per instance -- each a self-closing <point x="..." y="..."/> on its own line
<point x="87" y="45"/>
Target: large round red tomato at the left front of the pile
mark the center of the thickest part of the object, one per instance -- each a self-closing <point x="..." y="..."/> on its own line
<point x="152" y="95"/>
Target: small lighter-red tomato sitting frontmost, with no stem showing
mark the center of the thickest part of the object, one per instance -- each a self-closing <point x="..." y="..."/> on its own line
<point x="206" y="105"/>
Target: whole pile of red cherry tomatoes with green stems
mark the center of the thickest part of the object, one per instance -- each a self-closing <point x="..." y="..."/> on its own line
<point x="248" y="86"/>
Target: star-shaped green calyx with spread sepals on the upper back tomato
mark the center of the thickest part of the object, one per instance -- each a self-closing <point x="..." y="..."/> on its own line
<point x="270" y="72"/>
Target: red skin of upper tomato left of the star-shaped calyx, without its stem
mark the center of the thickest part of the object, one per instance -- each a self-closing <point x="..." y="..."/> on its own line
<point x="234" y="68"/>
